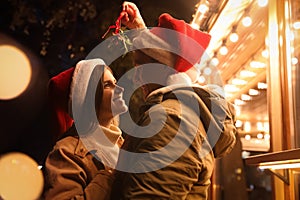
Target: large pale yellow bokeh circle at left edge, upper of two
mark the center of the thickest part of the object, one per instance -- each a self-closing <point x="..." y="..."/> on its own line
<point x="15" y="72"/>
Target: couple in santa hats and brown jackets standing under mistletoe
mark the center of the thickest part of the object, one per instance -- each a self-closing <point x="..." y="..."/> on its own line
<point x="182" y="129"/>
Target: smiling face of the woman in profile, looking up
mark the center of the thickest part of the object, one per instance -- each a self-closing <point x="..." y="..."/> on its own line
<point x="112" y="100"/>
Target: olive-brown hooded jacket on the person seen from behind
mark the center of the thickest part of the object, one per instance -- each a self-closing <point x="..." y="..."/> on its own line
<point x="175" y="161"/>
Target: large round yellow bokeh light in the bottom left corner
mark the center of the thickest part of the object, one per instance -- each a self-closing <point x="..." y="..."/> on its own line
<point x="20" y="177"/>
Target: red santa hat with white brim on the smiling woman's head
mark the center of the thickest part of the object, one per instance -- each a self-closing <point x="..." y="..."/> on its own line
<point x="61" y="91"/>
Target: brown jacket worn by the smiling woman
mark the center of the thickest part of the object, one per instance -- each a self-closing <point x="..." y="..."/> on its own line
<point x="67" y="177"/>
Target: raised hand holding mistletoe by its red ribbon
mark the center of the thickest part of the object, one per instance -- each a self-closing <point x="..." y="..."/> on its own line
<point x="131" y="17"/>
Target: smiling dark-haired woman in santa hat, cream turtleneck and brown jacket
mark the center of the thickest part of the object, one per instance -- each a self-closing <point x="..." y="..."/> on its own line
<point x="79" y="166"/>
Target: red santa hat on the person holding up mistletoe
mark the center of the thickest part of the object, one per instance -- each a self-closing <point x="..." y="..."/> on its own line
<point x="186" y="43"/>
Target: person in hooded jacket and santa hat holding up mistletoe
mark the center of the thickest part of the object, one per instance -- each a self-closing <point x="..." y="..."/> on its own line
<point x="183" y="127"/>
